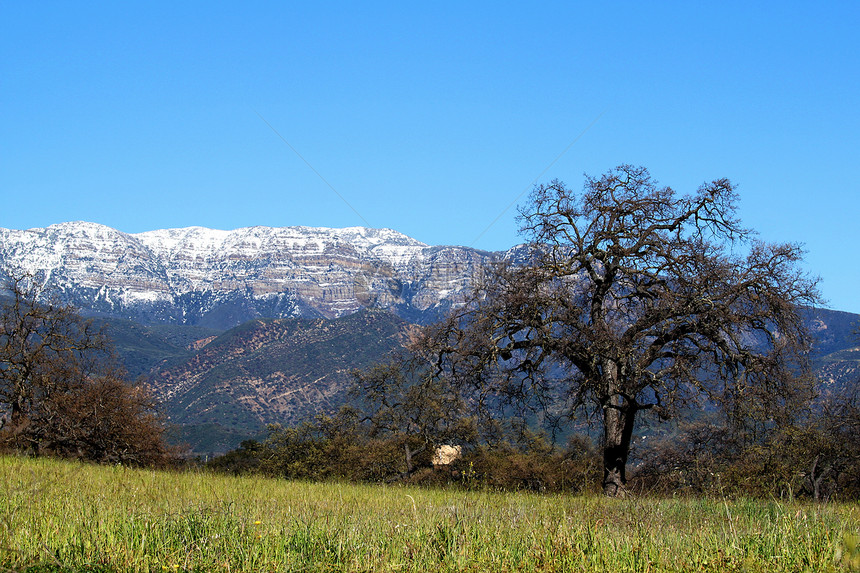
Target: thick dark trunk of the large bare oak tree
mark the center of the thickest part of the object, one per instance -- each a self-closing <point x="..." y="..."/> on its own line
<point x="618" y="418"/>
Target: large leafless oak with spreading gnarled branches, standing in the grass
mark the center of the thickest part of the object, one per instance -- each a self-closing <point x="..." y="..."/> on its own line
<point x="634" y="299"/>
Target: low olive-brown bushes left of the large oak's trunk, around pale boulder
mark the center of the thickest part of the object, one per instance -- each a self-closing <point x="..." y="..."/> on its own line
<point x="341" y="448"/>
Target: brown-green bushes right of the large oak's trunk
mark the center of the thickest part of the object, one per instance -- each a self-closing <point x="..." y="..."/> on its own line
<point x="814" y="456"/>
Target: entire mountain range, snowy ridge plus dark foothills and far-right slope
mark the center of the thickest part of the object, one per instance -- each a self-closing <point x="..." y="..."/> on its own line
<point x="237" y="329"/>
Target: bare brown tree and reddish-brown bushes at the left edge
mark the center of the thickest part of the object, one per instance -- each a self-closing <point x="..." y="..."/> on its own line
<point x="61" y="391"/>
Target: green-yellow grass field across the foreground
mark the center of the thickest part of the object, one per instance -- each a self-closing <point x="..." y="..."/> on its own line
<point x="60" y="516"/>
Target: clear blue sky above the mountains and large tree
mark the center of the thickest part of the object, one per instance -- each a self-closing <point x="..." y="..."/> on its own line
<point x="428" y="118"/>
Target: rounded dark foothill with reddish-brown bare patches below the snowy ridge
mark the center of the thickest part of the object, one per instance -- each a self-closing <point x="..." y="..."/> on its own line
<point x="275" y="370"/>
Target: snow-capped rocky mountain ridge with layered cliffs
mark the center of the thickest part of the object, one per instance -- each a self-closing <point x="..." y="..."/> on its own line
<point x="222" y="278"/>
